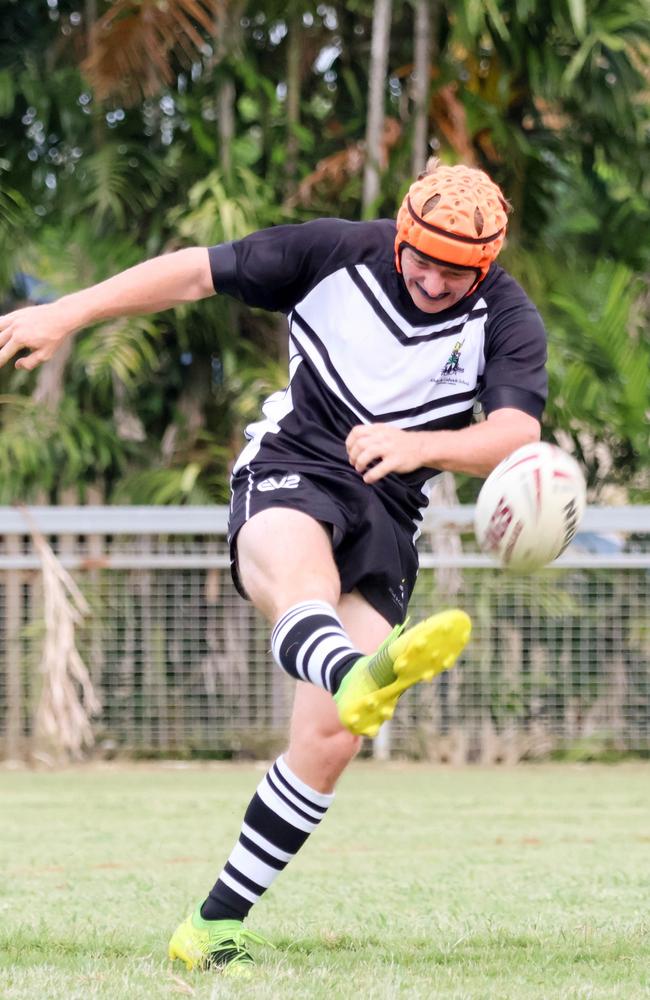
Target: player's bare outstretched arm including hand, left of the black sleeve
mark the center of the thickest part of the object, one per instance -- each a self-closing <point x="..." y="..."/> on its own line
<point x="160" y="283"/>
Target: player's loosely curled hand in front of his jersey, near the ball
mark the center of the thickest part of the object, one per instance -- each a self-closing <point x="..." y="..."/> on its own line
<point x="391" y="449"/>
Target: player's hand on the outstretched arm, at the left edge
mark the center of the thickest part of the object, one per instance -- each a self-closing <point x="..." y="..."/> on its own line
<point x="37" y="329"/>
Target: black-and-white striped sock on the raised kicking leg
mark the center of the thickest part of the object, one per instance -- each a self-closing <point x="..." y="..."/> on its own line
<point x="310" y="643"/>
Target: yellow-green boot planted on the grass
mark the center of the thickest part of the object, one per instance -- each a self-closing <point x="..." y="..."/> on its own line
<point x="214" y="944"/>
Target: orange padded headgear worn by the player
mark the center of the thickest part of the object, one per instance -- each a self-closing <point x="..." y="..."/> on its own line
<point x="455" y="215"/>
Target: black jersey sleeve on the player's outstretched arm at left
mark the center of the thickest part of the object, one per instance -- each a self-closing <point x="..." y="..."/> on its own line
<point x="275" y="268"/>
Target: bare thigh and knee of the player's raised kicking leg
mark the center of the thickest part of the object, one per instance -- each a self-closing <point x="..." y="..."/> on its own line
<point x="284" y="556"/>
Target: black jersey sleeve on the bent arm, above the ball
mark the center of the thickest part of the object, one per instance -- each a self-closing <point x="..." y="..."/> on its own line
<point x="515" y="356"/>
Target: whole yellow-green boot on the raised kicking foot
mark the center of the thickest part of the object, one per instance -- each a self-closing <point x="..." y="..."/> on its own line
<point x="370" y="691"/>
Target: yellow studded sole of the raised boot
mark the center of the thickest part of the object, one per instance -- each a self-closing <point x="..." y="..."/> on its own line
<point x="419" y="654"/>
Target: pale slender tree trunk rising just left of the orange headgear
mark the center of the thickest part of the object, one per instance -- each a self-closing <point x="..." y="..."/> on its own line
<point x="375" y="124"/>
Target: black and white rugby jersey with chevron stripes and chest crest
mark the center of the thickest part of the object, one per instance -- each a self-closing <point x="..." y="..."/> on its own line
<point x="362" y="352"/>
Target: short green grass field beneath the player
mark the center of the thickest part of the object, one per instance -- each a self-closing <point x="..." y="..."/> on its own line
<point x="422" y="882"/>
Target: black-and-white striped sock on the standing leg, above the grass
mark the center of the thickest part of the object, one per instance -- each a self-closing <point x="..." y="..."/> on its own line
<point x="280" y="817"/>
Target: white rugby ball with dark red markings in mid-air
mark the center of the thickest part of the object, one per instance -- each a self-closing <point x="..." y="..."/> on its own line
<point x="529" y="507"/>
